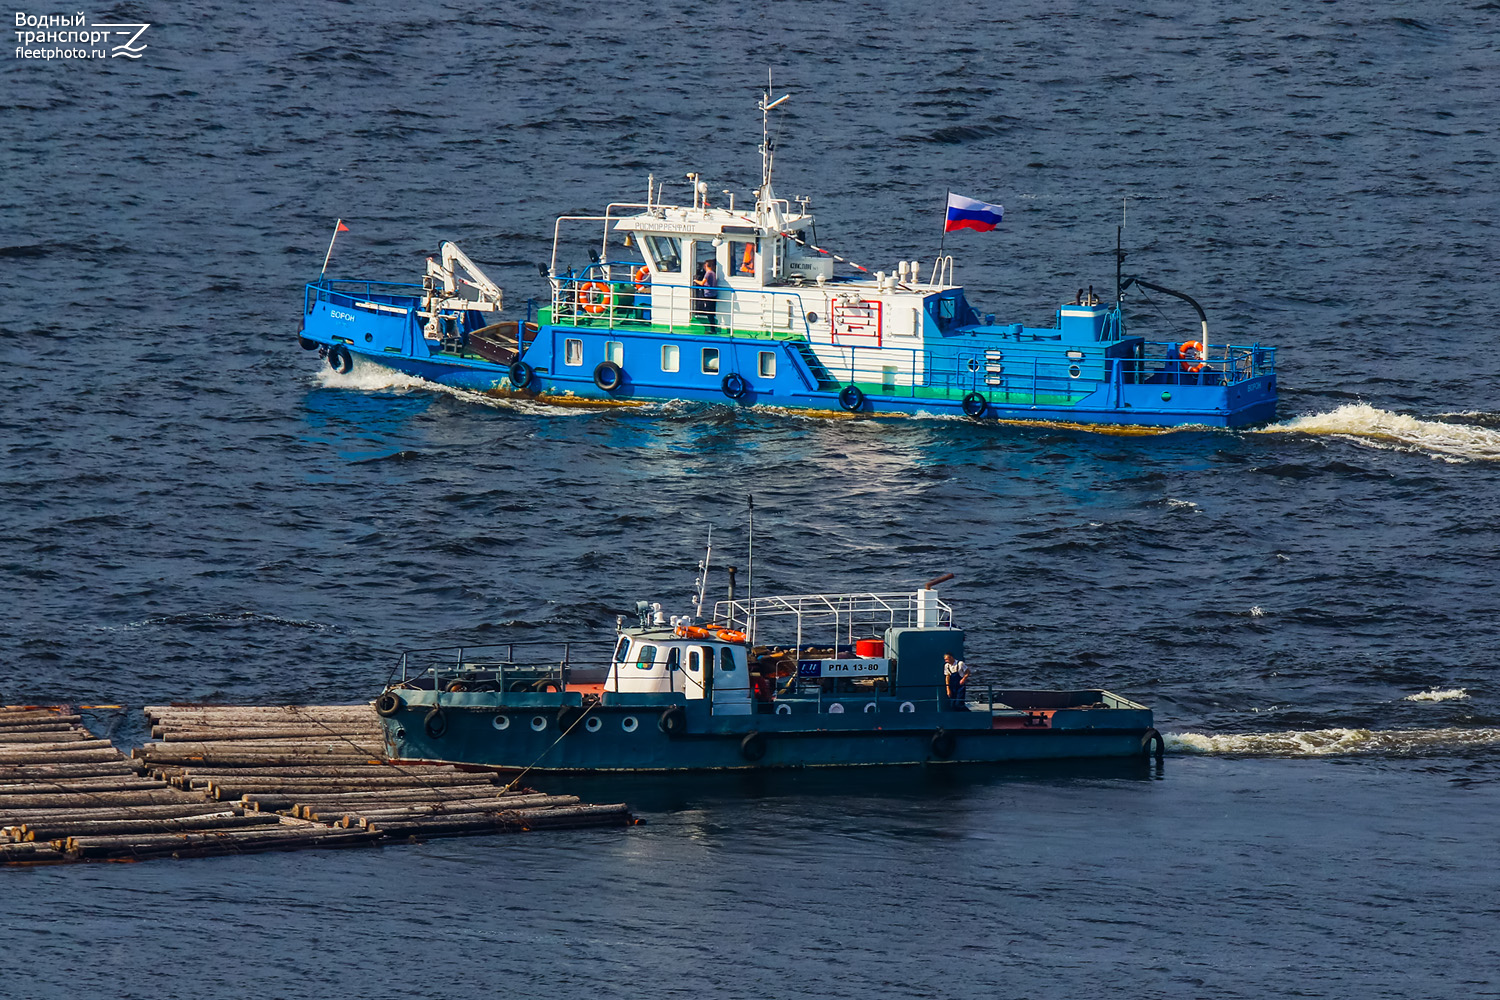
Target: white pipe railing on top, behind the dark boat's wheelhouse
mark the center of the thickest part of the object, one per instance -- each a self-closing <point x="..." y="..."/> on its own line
<point x="841" y="617"/>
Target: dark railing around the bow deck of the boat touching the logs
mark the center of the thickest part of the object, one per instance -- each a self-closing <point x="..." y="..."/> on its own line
<point x="512" y="666"/>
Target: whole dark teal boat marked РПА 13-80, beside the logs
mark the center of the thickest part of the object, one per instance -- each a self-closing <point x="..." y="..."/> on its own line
<point x="823" y="680"/>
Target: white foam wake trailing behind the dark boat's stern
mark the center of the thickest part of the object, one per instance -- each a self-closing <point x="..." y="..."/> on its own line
<point x="1327" y="743"/>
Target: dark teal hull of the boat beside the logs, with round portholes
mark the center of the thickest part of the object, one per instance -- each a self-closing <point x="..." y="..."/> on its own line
<point x="634" y="734"/>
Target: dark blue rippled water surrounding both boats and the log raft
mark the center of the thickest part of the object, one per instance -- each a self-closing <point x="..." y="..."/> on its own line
<point x="191" y="509"/>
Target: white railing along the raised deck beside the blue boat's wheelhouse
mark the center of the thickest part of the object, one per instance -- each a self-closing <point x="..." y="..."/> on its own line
<point x="766" y="313"/>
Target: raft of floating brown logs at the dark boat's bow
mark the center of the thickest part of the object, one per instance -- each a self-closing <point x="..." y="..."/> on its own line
<point x="220" y="780"/>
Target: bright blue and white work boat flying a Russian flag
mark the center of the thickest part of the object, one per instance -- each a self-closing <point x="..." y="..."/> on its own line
<point x="776" y="326"/>
